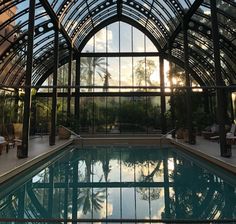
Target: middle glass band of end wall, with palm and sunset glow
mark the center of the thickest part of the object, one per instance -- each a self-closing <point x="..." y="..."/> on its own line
<point x="115" y="74"/>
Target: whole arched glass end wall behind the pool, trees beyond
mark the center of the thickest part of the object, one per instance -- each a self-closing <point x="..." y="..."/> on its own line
<point x="119" y="85"/>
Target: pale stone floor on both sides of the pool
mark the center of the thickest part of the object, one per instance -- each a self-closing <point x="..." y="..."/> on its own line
<point x="39" y="145"/>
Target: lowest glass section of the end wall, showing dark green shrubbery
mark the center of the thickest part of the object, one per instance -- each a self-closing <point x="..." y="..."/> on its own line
<point x="124" y="114"/>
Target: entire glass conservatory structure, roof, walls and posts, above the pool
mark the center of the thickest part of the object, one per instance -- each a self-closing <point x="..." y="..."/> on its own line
<point x="118" y="67"/>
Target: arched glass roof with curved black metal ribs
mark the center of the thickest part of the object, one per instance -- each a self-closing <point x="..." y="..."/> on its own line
<point x="161" y="21"/>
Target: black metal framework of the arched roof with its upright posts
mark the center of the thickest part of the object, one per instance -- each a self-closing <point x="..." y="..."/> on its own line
<point x="200" y="54"/>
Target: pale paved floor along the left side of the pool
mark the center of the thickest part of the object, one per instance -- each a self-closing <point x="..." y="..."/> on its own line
<point x="37" y="146"/>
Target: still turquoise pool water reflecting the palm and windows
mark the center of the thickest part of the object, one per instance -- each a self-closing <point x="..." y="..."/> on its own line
<point x="121" y="183"/>
